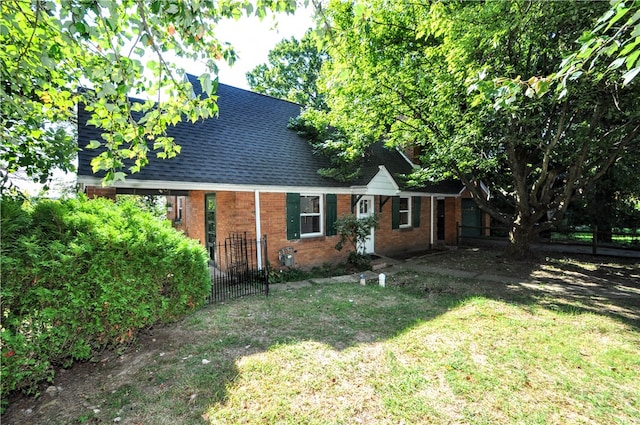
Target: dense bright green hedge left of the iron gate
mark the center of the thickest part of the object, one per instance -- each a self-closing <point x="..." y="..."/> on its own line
<point x="81" y="275"/>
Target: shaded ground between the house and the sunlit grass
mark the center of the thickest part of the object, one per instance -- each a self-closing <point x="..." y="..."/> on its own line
<point x="181" y="370"/>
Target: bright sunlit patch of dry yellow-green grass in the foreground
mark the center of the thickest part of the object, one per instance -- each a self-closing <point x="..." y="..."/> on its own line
<point x="485" y="361"/>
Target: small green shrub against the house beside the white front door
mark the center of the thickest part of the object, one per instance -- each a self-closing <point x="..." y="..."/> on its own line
<point x="355" y="231"/>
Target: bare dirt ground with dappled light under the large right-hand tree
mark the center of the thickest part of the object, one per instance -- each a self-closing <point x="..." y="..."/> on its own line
<point x="604" y="285"/>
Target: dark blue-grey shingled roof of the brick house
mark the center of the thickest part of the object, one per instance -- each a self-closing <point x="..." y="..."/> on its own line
<point x="248" y="144"/>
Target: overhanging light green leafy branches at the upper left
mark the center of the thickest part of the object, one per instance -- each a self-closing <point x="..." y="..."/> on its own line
<point x="51" y="49"/>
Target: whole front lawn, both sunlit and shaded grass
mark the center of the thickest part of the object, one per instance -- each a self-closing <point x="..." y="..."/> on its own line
<point x="426" y="349"/>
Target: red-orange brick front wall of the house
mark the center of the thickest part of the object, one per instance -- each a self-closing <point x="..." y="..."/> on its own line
<point x="236" y="214"/>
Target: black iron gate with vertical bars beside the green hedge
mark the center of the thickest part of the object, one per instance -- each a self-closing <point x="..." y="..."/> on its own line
<point x="239" y="267"/>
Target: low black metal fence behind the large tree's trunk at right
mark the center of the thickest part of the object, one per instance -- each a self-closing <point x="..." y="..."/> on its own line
<point x="628" y="239"/>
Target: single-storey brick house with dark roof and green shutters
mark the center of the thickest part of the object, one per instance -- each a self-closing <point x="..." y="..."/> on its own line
<point x="246" y="171"/>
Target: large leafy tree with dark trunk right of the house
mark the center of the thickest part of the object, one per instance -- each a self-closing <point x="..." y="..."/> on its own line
<point x="424" y="75"/>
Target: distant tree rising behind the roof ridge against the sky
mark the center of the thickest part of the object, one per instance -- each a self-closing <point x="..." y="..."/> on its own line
<point x="292" y="72"/>
